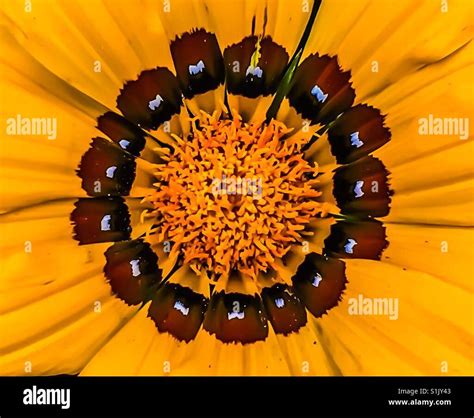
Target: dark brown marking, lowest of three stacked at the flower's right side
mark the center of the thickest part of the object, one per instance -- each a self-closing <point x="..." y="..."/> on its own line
<point x="360" y="239"/>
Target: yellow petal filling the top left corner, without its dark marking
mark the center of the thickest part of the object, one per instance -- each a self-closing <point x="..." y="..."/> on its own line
<point x="95" y="48"/>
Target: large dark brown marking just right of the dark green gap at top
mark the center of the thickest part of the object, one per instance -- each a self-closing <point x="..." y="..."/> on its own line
<point x="320" y="89"/>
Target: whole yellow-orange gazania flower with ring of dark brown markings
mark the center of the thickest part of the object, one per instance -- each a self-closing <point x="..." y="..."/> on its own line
<point x="236" y="187"/>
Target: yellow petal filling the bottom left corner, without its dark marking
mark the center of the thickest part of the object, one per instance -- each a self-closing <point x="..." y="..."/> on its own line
<point x="68" y="324"/>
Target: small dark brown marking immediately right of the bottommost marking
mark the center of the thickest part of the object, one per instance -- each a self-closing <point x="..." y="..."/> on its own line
<point x="285" y="311"/>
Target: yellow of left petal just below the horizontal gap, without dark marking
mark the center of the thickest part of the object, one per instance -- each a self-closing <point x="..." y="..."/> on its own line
<point x="40" y="257"/>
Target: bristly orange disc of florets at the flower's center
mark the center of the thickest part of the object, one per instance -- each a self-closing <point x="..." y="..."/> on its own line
<point x="234" y="196"/>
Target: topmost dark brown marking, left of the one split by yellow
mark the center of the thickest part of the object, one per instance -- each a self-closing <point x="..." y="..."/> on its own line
<point x="198" y="62"/>
